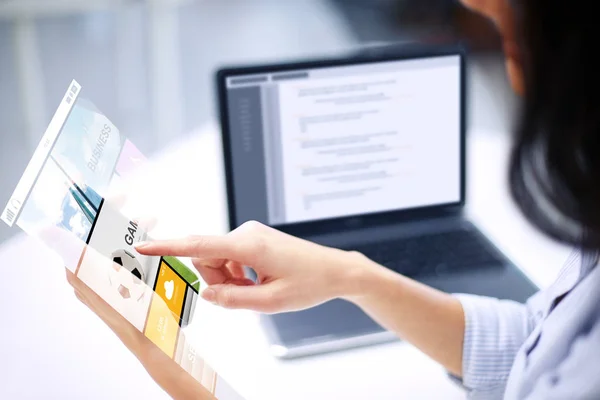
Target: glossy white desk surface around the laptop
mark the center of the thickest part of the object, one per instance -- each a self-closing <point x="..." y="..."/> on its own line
<point x="51" y="346"/>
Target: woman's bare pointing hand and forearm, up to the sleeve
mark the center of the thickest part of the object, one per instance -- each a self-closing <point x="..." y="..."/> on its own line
<point x="294" y="274"/>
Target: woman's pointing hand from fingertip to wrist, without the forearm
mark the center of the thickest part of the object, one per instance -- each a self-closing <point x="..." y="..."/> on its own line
<point x="293" y="274"/>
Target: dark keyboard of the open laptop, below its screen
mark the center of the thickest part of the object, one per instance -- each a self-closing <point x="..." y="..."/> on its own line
<point x="433" y="254"/>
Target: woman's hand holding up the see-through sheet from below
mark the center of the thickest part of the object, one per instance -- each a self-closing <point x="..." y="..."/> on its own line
<point x="178" y="383"/>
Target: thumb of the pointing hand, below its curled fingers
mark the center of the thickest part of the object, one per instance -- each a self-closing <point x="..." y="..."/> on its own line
<point x="252" y="297"/>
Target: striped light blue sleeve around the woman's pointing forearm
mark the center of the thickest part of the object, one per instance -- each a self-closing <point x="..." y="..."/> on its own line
<point x="495" y="330"/>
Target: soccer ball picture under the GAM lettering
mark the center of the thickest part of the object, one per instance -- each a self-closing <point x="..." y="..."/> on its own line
<point x="127" y="275"/>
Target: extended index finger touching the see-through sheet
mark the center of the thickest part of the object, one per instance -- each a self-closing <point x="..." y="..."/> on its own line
<point x="195" y="247"/>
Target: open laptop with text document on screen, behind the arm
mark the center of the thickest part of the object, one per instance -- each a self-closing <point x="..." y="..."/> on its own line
<point x="367" y="153"/>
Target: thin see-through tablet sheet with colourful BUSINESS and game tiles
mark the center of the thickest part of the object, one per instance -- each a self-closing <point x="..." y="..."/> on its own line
<point x="79" y="195"/>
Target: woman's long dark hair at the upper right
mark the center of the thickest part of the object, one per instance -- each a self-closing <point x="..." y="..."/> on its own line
<point x="555" y="162"/>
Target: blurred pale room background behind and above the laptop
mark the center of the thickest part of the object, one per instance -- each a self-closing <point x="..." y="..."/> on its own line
<point x="149" y="64"/>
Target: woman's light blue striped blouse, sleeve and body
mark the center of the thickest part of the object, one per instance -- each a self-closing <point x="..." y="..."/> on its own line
<point x="508" y="346"/>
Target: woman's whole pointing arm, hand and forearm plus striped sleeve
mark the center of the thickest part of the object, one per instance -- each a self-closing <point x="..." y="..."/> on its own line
<point x="471" y="336"/>
